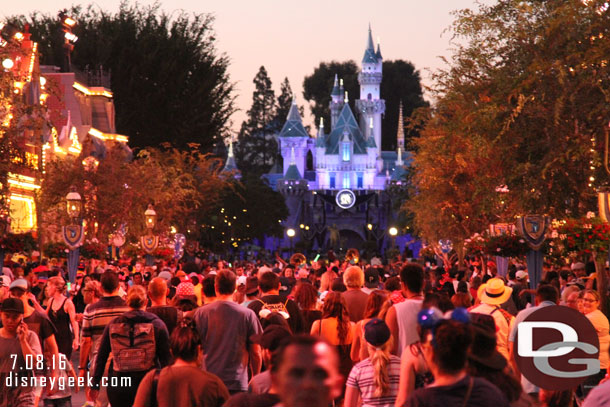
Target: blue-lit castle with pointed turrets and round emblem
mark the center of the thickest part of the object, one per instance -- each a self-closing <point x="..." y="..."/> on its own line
<point x="338" y="185"/>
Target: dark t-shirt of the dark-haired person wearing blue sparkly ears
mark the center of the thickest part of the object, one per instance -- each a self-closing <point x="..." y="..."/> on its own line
<point x="483" y="394"/>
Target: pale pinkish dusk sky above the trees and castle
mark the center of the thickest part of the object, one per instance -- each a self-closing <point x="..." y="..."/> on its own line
<point x="290" y="38"/>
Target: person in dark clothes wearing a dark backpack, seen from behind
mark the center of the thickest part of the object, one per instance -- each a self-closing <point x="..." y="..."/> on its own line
<point x="139" y="342"/>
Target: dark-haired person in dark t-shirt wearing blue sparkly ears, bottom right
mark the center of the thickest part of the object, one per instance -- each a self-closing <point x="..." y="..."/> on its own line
<point x="445" y="349"/>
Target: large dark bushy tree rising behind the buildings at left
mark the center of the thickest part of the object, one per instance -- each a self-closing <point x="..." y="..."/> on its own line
<point x="169" y="82"/>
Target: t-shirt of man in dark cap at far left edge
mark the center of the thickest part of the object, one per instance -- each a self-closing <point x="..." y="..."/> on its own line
<point x="12" y="394"/>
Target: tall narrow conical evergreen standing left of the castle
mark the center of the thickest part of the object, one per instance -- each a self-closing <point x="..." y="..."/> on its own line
<point x="256" y="149"/>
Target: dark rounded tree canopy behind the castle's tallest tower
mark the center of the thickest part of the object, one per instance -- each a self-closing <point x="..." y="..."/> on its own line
<point x="400" y="82"/>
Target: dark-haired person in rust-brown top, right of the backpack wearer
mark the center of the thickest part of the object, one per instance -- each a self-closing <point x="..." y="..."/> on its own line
<point x="183" y="384"/>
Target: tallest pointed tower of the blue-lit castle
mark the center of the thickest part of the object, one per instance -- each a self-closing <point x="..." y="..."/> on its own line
<point x="370" y="106"/>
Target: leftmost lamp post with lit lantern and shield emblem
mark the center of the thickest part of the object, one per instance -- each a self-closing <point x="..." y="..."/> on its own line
<point x="73" y="233"/>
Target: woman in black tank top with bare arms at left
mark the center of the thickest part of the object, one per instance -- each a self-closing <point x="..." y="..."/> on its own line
<point x="62" y="314"/>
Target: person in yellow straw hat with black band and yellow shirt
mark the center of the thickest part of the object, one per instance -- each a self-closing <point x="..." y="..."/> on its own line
<point x="491" y="296"/>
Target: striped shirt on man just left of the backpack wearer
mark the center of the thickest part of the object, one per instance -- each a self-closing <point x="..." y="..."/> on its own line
<point x="98" y="315"/>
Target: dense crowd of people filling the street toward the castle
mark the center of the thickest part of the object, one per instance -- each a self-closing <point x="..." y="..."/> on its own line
<point x="269" y="332"/>
